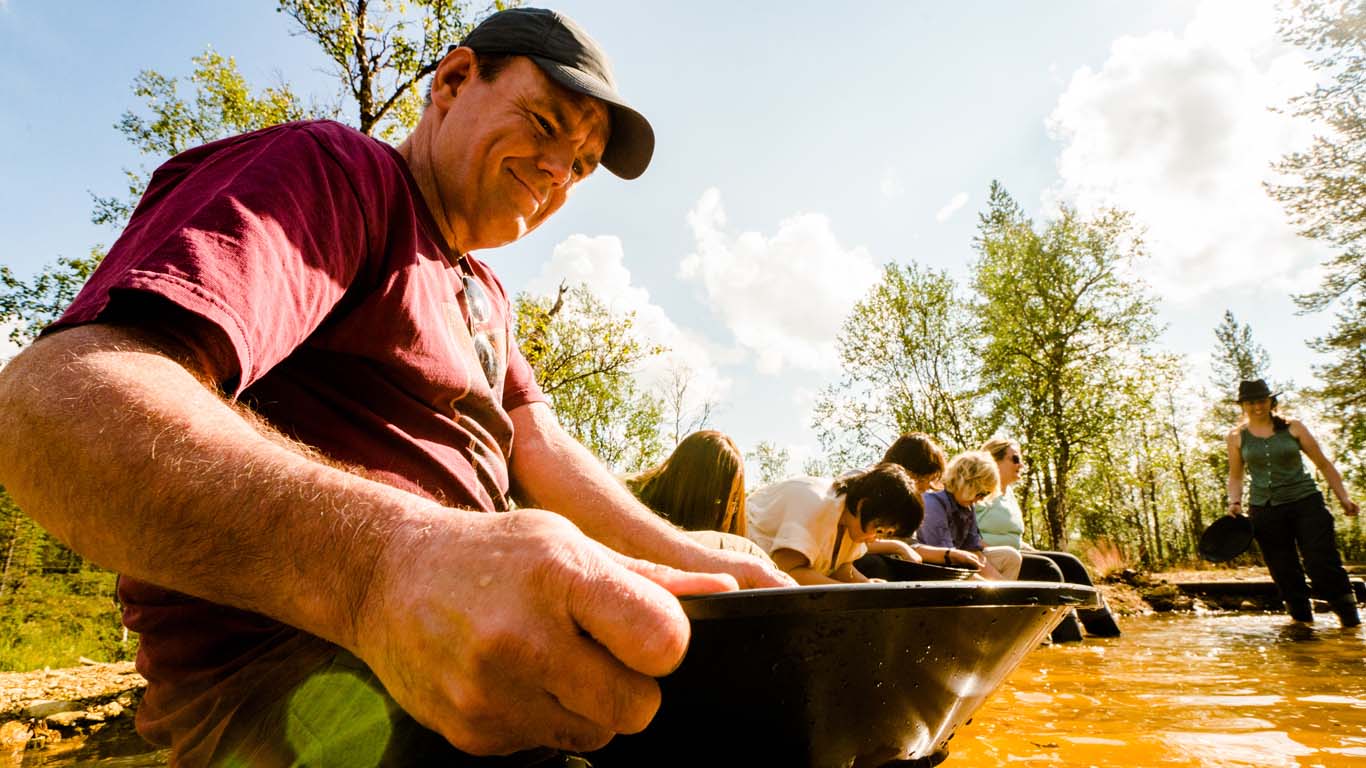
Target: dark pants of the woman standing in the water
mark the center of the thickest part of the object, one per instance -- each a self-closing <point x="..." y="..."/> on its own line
<point x="1294" y="531"/>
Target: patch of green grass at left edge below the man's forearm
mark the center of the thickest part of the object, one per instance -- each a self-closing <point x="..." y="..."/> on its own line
<point x="55" y="620"/>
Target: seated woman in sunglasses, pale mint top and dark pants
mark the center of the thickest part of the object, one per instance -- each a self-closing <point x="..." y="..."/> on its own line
<point x="1002" y="524"/>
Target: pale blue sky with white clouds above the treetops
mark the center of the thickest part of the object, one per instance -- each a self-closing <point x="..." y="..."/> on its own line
<point x="801" y="146"/>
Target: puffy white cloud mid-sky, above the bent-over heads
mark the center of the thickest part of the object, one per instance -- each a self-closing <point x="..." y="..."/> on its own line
<point x="782" y="296"/>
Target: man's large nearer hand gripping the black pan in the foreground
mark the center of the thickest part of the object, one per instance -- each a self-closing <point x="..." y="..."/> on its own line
<point x="516" y="631"/>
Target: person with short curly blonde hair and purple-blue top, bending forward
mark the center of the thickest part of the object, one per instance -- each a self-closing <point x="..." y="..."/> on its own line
<point x="950" y="521"/>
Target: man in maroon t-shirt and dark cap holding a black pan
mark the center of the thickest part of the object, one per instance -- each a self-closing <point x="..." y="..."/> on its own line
<point x="288" y="402"/>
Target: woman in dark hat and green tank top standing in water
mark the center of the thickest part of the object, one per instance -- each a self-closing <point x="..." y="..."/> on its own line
<point x="1287" y="506"/>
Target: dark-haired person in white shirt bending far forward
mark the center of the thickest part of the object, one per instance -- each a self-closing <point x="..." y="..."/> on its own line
<point x="816" y="528"/>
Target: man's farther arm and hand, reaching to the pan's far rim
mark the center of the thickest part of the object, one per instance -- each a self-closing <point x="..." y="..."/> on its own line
<point x="553" y="471"/>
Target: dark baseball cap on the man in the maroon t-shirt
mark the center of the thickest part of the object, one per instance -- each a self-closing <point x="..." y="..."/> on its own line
<point x="566" y="53"/>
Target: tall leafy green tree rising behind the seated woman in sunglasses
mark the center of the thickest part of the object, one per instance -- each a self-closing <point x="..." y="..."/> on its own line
<point x="1066" y="323"/>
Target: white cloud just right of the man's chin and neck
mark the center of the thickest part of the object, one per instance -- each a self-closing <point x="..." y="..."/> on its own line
<point x="600" y="264"/>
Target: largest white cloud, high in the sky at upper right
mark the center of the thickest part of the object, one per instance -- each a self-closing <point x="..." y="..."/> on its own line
<point x="1180" y="131"/>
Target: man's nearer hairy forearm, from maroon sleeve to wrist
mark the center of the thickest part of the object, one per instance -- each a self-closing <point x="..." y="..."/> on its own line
<point x="126" y="456"/>
